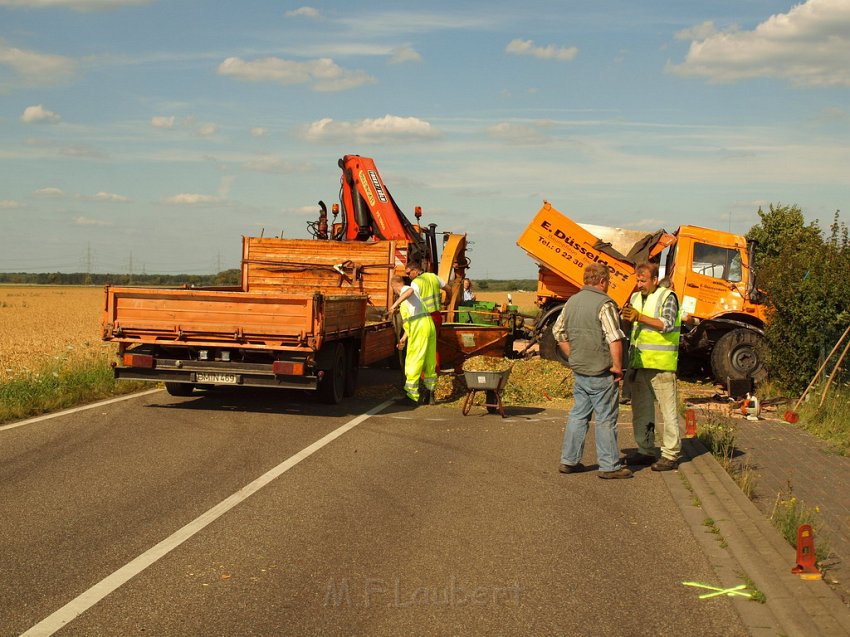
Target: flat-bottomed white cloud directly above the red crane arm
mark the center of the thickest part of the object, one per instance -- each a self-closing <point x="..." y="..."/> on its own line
<point x="383" y="129"/>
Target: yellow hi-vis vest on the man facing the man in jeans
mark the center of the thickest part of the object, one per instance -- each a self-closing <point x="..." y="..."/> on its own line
<point x="652" y="348"/>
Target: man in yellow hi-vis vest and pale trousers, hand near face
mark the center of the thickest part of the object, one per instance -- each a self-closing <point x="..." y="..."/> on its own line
<point x="653" y="312"/>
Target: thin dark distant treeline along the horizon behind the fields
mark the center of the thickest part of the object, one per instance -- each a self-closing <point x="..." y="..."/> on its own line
<point x="226" y="277"/>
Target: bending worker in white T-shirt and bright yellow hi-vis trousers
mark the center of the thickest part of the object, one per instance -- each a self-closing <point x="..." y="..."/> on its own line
<point x="420" y="339"/>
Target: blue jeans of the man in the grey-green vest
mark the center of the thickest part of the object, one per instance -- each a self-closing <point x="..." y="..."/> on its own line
<point x="593" y="394"/>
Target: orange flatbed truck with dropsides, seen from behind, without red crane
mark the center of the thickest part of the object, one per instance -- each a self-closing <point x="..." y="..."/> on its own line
<point x="307" y="315"/>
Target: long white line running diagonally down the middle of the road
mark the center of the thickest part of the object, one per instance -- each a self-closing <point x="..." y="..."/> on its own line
<point x="92" y="596"/>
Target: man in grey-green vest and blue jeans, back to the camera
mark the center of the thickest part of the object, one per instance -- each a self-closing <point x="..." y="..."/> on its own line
<point x="588" y="333"/>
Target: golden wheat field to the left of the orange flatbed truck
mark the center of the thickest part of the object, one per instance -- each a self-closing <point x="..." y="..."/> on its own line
<point x="44" y="326"/>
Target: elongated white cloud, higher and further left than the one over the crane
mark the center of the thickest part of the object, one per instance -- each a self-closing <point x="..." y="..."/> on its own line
<point x="322" y="74"/>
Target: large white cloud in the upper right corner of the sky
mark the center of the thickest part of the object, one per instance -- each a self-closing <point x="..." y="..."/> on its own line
<point x="808" y="46"/>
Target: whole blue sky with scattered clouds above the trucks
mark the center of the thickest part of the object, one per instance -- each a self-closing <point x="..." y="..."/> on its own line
<point x="150" y="135"/>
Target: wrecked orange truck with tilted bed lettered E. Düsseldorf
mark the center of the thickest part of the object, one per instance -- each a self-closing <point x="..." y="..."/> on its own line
<point x="710" y="271"/>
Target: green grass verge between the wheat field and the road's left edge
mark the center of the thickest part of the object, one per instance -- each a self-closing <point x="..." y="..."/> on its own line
<point x="60" y="384"/>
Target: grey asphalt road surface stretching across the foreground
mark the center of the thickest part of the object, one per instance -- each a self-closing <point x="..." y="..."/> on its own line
<point x="409" y="522"/>
